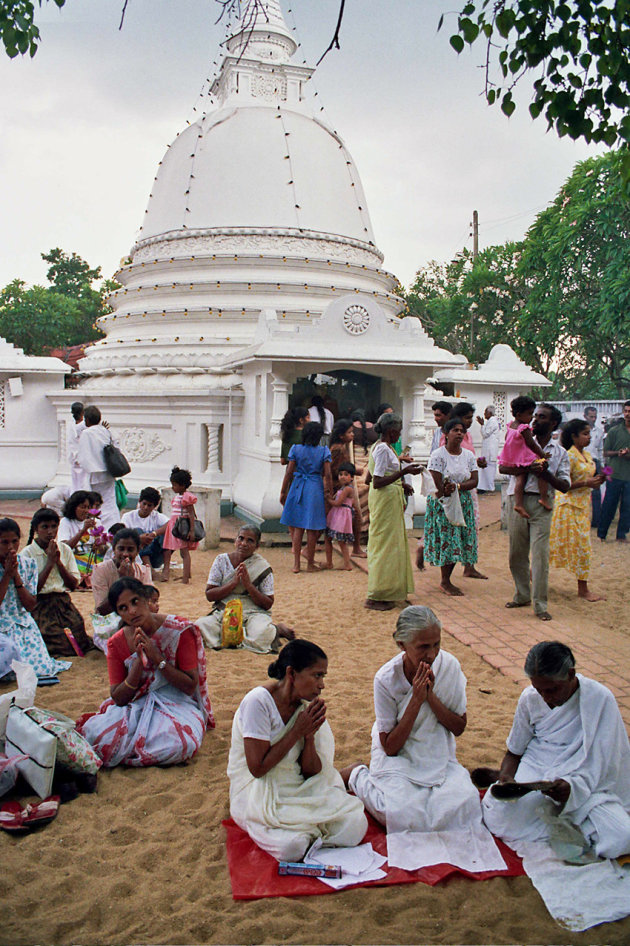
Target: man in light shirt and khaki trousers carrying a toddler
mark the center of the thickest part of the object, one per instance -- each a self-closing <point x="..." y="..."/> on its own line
<point x="530" y="537"/>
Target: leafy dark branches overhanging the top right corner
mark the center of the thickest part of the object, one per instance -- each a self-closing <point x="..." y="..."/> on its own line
<point x="577" y="51"/>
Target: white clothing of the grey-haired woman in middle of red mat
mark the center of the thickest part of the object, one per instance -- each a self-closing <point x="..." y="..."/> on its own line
<point x="423" y="795"/>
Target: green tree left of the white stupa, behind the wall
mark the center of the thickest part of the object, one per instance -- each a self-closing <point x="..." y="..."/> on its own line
<point x="40" y="318"/>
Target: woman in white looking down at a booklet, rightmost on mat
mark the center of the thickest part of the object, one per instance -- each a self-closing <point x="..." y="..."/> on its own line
<point x="569" y="740"/>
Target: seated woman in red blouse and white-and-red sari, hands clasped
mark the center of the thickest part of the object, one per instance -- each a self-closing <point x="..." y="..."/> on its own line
<point x="159" y="707"/>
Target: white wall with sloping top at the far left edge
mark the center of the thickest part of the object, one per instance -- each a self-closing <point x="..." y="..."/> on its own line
<point x="28" y="429"/>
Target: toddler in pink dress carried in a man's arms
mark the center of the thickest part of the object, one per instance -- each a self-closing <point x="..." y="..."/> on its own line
<point x="521" y="450"/>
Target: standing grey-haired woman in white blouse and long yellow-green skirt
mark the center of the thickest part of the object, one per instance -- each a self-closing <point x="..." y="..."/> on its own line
<point x="390" y="576"/>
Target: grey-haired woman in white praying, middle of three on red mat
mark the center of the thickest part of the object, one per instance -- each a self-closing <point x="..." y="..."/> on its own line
<point x="415" y="785"/>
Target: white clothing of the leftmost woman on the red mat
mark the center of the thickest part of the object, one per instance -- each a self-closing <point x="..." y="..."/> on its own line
<point x="282" y="811"/>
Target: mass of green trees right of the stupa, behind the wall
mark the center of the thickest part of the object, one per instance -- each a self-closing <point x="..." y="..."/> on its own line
<point x="561" y="298"/>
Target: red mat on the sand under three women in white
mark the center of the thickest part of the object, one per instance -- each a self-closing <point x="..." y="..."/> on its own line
<point x="254" y="873"/>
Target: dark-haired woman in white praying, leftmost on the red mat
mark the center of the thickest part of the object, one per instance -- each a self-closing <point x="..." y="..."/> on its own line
<point x="284" y="790"/>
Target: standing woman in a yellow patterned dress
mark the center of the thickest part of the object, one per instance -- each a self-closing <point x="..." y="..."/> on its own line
<point x="570" y="539"/>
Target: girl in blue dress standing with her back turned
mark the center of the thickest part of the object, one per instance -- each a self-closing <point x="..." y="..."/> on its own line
<point x="306" y="480"/>
